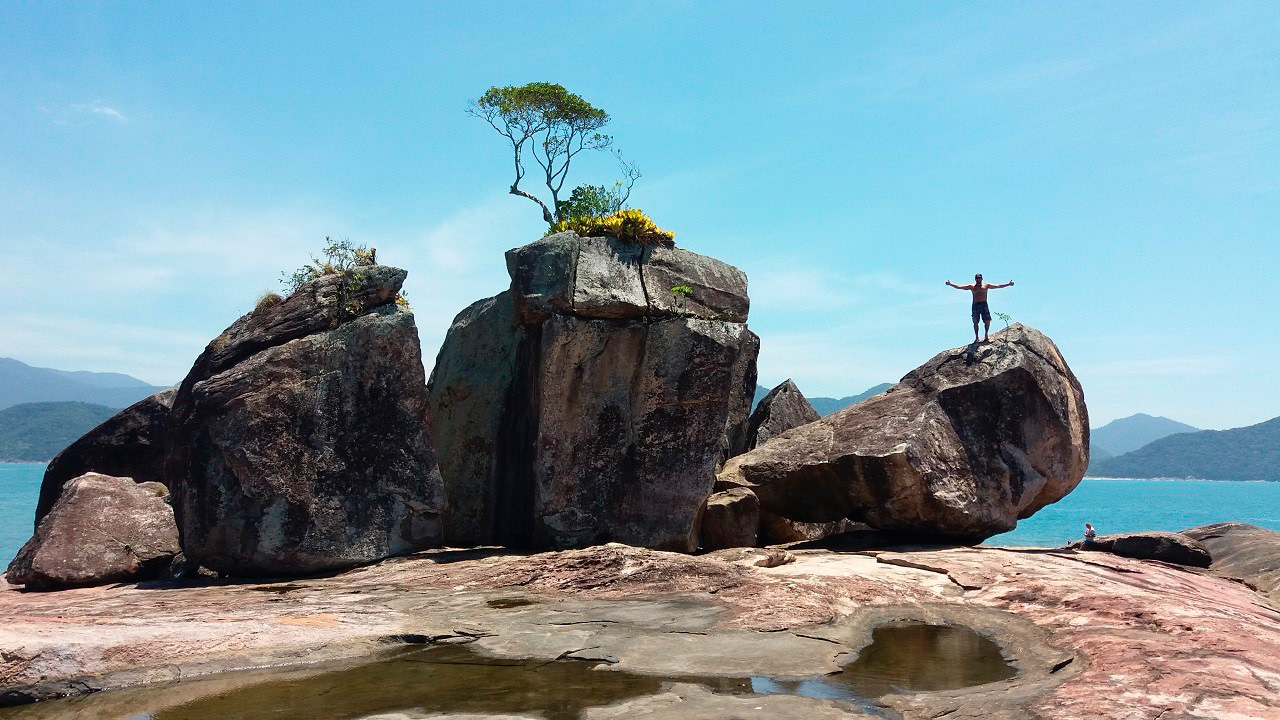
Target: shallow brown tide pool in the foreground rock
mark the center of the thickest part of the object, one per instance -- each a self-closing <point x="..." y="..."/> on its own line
<point x="908" y="658"/>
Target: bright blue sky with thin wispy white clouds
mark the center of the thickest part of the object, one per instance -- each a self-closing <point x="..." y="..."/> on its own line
<point x="162" y="165"/>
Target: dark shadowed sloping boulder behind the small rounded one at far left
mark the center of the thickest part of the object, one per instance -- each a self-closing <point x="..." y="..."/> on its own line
<point x="129" y="445"/>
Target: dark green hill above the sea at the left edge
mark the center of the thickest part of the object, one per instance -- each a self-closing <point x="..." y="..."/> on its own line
<point x="35" y="432"/>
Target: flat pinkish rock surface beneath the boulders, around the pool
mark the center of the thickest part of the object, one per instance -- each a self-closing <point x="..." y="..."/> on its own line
<point x="1095" y="636"/>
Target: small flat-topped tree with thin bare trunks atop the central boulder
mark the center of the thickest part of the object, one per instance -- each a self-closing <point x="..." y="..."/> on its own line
<point x="552" y="126"/>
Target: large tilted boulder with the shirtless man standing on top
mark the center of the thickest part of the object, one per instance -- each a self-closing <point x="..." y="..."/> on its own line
<point x="958" y="452"/>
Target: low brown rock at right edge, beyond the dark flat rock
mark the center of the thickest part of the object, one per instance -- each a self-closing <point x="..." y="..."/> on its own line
<point x="1244" y="553"/>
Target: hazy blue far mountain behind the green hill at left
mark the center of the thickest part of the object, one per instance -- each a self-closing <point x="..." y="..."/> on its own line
<point x="24" y="384"/>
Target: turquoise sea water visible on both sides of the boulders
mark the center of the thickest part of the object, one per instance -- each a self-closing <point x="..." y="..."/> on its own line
<point x="1112" y="505"/>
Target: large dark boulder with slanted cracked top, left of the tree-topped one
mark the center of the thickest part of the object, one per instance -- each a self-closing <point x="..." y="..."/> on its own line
<point x="300" y="439"/>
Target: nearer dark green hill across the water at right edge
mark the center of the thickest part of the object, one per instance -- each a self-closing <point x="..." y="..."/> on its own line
<point x="1241" y="454"/>
